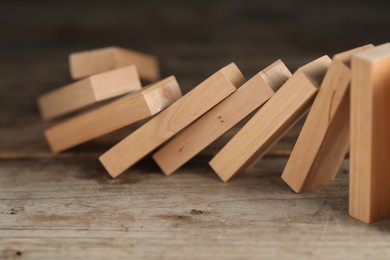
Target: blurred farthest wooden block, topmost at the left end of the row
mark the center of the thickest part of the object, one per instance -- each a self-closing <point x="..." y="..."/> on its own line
<point x="87" y="63"/>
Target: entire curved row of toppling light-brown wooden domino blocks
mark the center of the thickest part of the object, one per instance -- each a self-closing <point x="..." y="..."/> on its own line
<point x="347" y="100"/>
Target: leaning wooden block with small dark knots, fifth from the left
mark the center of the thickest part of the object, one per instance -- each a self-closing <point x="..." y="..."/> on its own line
<point x="250" y="96"/>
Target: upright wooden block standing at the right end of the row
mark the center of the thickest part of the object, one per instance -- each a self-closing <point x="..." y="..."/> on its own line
<point x="369" y="195"/>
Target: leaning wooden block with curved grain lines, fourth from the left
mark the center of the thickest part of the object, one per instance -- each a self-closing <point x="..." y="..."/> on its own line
<point x="172" y="120"/>
